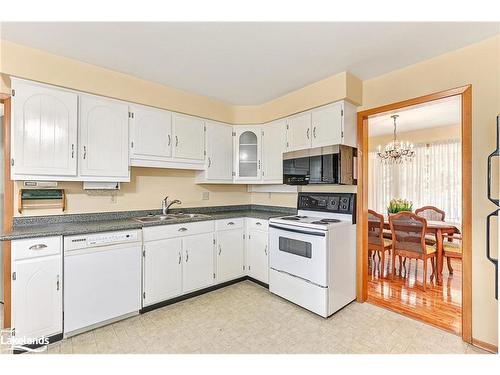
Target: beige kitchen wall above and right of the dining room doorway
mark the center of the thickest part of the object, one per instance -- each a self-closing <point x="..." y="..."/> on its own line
<point x="479" y="65"/>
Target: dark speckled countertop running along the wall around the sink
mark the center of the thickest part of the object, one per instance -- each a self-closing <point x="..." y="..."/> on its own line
<point x="65" y="225"/>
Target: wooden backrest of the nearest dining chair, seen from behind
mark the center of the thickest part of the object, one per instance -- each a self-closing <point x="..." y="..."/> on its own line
<point x="408" y="232"/>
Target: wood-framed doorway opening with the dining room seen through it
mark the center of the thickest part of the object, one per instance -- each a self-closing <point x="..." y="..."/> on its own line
<point x="413" y="192"/>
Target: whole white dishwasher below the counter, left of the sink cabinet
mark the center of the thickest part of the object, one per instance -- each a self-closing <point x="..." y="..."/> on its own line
<point x="102" y="279"/>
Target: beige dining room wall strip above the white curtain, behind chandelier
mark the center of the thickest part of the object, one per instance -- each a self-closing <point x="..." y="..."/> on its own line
<point x="417" y="136"/>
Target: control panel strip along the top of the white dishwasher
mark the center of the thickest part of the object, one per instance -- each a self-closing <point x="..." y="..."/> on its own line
<point x="101" y="239"/>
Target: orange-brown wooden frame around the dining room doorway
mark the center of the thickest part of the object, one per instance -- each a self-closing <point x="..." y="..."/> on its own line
<point x="362" y="203"/>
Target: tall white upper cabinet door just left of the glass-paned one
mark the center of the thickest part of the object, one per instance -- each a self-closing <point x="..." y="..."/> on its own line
<point x="219" y="142"/>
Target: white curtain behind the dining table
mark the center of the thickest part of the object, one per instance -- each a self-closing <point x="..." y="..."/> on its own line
<point x="432" y="178"/>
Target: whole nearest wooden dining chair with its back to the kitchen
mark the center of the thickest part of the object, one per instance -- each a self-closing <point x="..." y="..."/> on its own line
<point x="408" y="240"/>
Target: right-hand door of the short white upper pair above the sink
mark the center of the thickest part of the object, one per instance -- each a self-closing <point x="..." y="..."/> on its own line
<point x="189" y="137"/>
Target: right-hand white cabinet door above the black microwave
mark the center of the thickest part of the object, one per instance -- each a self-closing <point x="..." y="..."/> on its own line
<point x="327" y="125"/>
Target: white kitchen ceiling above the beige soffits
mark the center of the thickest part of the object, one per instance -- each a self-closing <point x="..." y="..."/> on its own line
<point x="247" y="63"/>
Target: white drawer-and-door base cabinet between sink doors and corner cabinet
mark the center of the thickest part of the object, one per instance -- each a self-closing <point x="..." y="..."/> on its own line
<point x="230" y="249"/>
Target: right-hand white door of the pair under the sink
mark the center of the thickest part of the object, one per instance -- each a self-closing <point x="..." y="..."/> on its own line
<point x="198" y="267"/>
